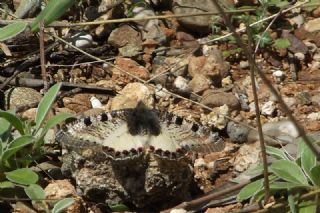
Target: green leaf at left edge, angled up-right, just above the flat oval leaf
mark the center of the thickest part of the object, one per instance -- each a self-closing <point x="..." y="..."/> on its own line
<point x="16" y="145"/>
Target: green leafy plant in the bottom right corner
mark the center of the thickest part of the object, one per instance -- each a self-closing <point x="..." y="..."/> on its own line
<point x="288" y="176"/>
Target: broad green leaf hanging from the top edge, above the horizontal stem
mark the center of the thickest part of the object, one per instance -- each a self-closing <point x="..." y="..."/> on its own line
<point x="54" y="10"/>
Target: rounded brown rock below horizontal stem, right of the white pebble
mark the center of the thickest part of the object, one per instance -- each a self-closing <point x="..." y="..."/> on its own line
<point x="123" y="36"/>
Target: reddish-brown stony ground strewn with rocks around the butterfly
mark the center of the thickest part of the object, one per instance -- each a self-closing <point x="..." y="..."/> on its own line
<point x="177" y="65"/>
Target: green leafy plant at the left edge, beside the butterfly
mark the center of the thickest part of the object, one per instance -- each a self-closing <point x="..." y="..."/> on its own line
<point x="20" y="143"/>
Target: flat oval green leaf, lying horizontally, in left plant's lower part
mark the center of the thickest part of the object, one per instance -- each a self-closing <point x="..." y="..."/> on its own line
<point x="23" y="176"/>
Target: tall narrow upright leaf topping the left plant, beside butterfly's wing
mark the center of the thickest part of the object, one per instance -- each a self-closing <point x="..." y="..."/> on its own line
<point x="46" y="103"/>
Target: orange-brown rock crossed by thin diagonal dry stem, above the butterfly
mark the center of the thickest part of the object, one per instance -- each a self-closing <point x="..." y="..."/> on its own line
<point x="129" y="66"/>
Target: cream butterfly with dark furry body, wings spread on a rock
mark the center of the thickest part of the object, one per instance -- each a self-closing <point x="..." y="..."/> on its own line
<point x="129" y="133"/>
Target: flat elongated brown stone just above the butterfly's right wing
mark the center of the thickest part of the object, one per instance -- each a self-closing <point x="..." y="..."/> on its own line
<point x="213" y="99"/>
